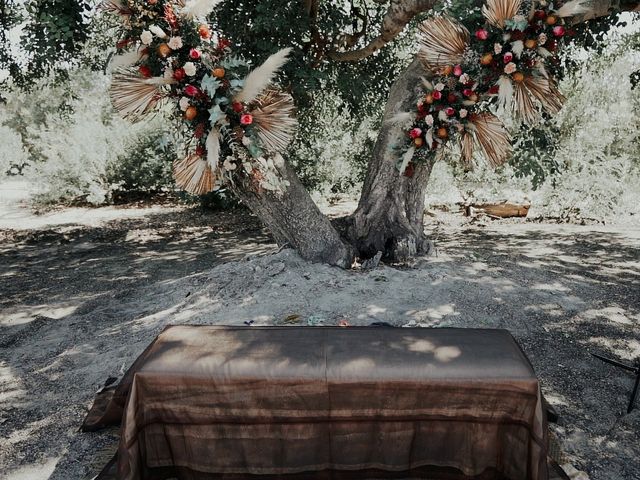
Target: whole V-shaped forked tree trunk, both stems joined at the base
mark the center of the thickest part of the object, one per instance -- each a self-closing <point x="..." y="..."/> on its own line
<point x="389" y="217"/>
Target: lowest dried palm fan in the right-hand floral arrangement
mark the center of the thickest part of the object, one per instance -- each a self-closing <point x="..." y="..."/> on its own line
<point x="492" y="137"/>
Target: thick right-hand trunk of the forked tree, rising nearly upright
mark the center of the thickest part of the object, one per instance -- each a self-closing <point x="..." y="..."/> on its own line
<point x="389" y="217"/>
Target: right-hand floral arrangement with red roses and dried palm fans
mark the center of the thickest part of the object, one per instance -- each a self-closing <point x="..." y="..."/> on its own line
<point x="508" y="63"/>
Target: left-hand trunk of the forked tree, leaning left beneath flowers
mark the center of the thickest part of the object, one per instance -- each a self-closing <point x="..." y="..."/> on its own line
<point x="294" y="219"/>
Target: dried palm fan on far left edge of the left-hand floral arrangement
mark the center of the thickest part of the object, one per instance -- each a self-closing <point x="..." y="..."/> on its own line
<point x="133" y="96"/>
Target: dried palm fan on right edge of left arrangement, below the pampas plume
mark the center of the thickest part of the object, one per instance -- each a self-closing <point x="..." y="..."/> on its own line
<point x="274" y="120"/>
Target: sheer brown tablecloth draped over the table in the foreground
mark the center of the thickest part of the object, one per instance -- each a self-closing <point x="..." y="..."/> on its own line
<point x="228" y="402"/>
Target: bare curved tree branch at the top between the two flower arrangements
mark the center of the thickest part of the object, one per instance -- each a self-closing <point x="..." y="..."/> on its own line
<point x="398" y="15"/>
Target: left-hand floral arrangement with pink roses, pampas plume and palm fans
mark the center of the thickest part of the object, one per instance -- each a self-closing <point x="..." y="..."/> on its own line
<point x="234" y="122"/>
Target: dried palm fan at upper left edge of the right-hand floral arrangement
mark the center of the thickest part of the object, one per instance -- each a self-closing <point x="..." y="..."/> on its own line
<point x="443" y="41"/>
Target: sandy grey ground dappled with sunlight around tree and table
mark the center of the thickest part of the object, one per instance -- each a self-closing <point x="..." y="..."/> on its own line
<point x="81" y="299"/>
